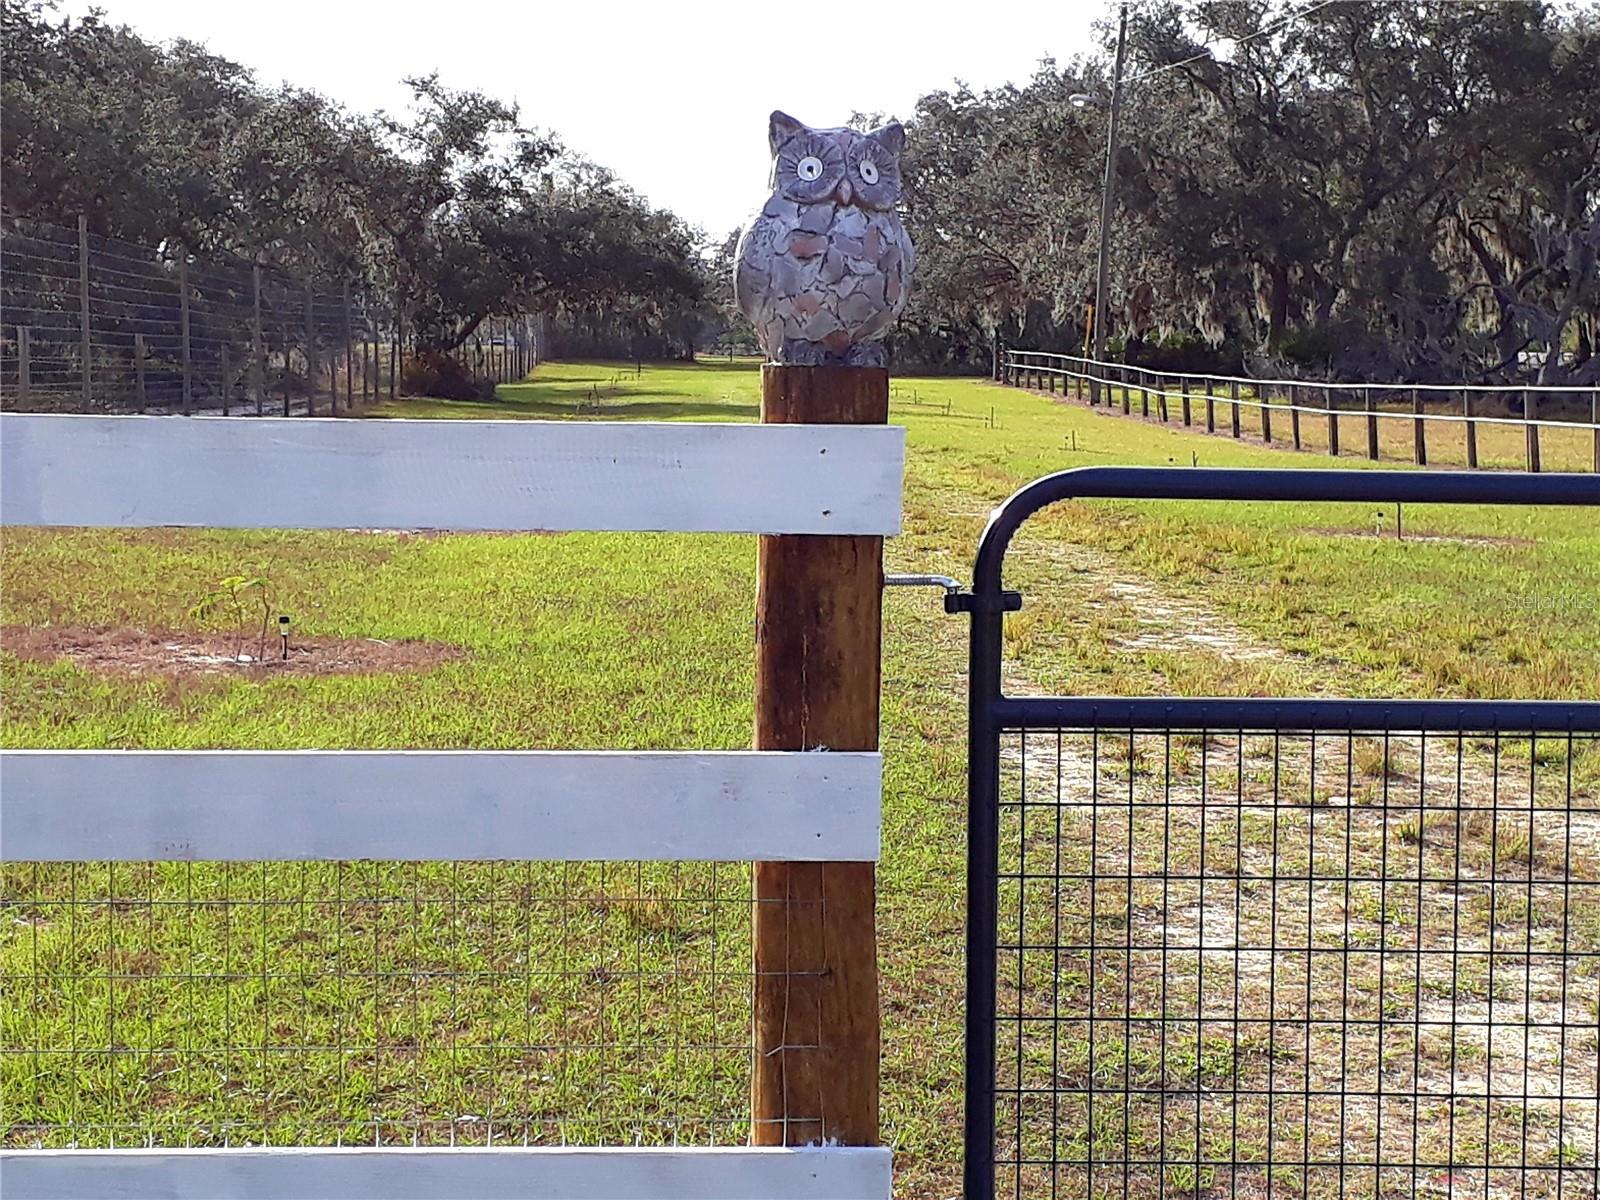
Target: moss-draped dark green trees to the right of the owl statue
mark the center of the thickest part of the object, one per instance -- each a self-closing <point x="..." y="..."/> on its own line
<point x="1385" y="190"/>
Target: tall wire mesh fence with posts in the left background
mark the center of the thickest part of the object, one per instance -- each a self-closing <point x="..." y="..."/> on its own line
<point x="94" y="324"/>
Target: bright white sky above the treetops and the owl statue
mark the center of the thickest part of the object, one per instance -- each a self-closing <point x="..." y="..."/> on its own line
<point x="670" y="95"/>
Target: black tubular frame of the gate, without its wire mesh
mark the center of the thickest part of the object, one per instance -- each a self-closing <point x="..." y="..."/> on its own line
<point x="991" y="711"/>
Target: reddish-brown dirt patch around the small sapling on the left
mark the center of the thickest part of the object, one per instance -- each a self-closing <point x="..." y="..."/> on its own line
<point x="138" y="652"/>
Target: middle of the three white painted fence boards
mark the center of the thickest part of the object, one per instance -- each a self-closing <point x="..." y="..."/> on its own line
<point x="439" y="806"/>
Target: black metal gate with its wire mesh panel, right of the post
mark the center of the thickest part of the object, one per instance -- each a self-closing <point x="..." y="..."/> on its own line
<point x="1279" y="946"/>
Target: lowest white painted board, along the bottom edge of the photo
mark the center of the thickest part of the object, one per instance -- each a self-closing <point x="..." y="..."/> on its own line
<point x="825" y="1174"/>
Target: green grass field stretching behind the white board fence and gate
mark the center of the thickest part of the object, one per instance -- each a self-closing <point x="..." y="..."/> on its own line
<point x="465" y="1002"/>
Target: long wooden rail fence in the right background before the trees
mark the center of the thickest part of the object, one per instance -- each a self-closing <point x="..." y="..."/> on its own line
<point x="1463" y="425"/>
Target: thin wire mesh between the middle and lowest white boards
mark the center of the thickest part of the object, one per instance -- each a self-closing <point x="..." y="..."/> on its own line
<point x="322" y="1004"/>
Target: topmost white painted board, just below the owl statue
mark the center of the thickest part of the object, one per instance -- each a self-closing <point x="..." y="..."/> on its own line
<point x="332" y="474"/>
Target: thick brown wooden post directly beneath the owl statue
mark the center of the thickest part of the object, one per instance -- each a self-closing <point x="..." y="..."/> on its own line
<point x="818" y="644"/>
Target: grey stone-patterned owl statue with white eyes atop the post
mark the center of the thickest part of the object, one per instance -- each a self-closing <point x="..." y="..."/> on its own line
<point x="825" y="270"/>
